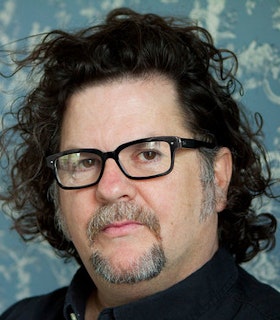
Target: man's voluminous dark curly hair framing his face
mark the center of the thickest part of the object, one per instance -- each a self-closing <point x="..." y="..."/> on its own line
<point x="133" y="44"/>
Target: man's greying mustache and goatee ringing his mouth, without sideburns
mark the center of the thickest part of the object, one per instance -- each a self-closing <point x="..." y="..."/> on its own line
<point x="147" y="266"/>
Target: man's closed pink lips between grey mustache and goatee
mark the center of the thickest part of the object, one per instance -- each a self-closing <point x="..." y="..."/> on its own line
<point x="121" y="228"/>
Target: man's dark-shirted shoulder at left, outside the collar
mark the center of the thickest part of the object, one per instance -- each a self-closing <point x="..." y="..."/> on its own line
<point x="49" y="305"/>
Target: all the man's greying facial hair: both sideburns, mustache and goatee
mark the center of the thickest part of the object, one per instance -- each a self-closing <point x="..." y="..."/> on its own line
<point x="151" y="263"/>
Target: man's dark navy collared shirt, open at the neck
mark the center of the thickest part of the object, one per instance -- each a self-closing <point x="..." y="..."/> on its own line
<point x="218" y="290"/>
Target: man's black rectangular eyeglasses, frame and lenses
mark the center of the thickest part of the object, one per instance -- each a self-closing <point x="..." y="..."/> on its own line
<point x="139" y="159"/>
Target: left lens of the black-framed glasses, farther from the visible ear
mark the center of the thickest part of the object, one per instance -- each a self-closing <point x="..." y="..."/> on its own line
<point x="78" y="169"/>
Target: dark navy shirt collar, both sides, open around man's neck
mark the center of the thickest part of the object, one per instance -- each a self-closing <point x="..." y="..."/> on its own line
<point x="191" y="297"/>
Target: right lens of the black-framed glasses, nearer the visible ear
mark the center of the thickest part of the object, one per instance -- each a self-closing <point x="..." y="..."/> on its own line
<point x="146" y="159"/>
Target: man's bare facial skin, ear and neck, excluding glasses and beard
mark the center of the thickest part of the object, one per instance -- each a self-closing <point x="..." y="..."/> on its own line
<point x="103" y="116"/>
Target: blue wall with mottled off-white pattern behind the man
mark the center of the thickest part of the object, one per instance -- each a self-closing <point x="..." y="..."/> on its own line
<point x="249" y="27"/>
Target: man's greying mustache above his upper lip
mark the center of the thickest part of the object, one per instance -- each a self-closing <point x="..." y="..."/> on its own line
<point x="122" y="211"/>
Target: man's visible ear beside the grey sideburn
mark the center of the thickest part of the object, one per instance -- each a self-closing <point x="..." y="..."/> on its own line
<point x="222" y="172"/>
